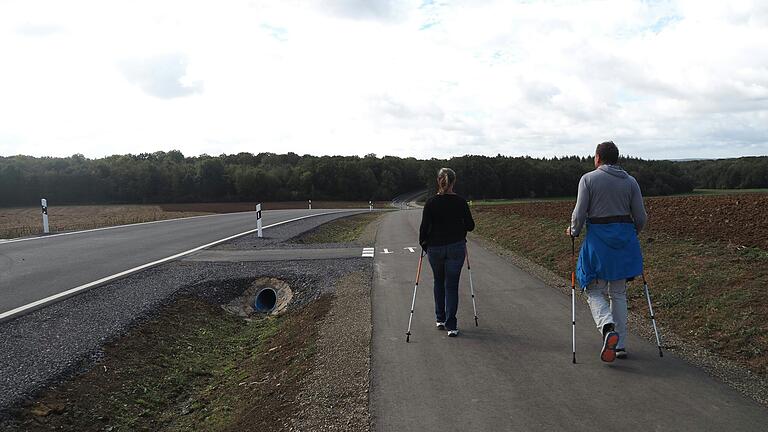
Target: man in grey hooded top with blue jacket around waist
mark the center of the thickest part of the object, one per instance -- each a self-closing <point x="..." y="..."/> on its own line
<point x="609" y="202"/>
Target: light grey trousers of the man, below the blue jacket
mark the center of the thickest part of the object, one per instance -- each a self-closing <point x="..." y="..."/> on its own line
<point x="608" y="303"/>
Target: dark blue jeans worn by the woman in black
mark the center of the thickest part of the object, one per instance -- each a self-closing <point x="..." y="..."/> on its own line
<point x="446" y="262"/>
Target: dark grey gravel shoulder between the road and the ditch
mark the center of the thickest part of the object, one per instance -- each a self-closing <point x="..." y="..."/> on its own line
<point x="47" y="345"/>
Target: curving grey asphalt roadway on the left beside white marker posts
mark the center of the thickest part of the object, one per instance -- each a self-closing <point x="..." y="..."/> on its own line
<point x="34" y="269"/>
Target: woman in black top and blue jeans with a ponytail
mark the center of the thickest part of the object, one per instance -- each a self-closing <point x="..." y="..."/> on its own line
<point x="444" y="224"/>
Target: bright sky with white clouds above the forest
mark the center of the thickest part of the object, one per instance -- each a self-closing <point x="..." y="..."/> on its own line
<point x="663" y="79"/>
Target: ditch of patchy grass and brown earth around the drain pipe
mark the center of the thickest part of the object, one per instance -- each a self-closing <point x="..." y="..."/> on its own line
<point x="195" y="367"/>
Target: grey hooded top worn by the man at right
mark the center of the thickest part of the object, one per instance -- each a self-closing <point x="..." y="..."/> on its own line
<point x="608" y="191"/>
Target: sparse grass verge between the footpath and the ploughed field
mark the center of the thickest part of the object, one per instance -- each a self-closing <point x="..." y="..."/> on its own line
<point x="711" y="292"/>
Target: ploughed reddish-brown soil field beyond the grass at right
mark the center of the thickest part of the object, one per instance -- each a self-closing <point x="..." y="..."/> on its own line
<point x="739" y="220"/>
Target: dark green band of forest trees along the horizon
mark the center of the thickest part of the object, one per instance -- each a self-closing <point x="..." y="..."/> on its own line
<point x="171" y="177"/>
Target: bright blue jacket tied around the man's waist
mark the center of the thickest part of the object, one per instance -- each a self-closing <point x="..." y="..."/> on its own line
<point x="609" y="252"/>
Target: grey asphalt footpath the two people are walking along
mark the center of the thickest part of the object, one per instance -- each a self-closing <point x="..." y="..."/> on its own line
<point x="514" y="371"/>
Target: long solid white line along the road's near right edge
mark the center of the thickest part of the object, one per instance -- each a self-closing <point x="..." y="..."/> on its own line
<point x="21" y="309"/>
